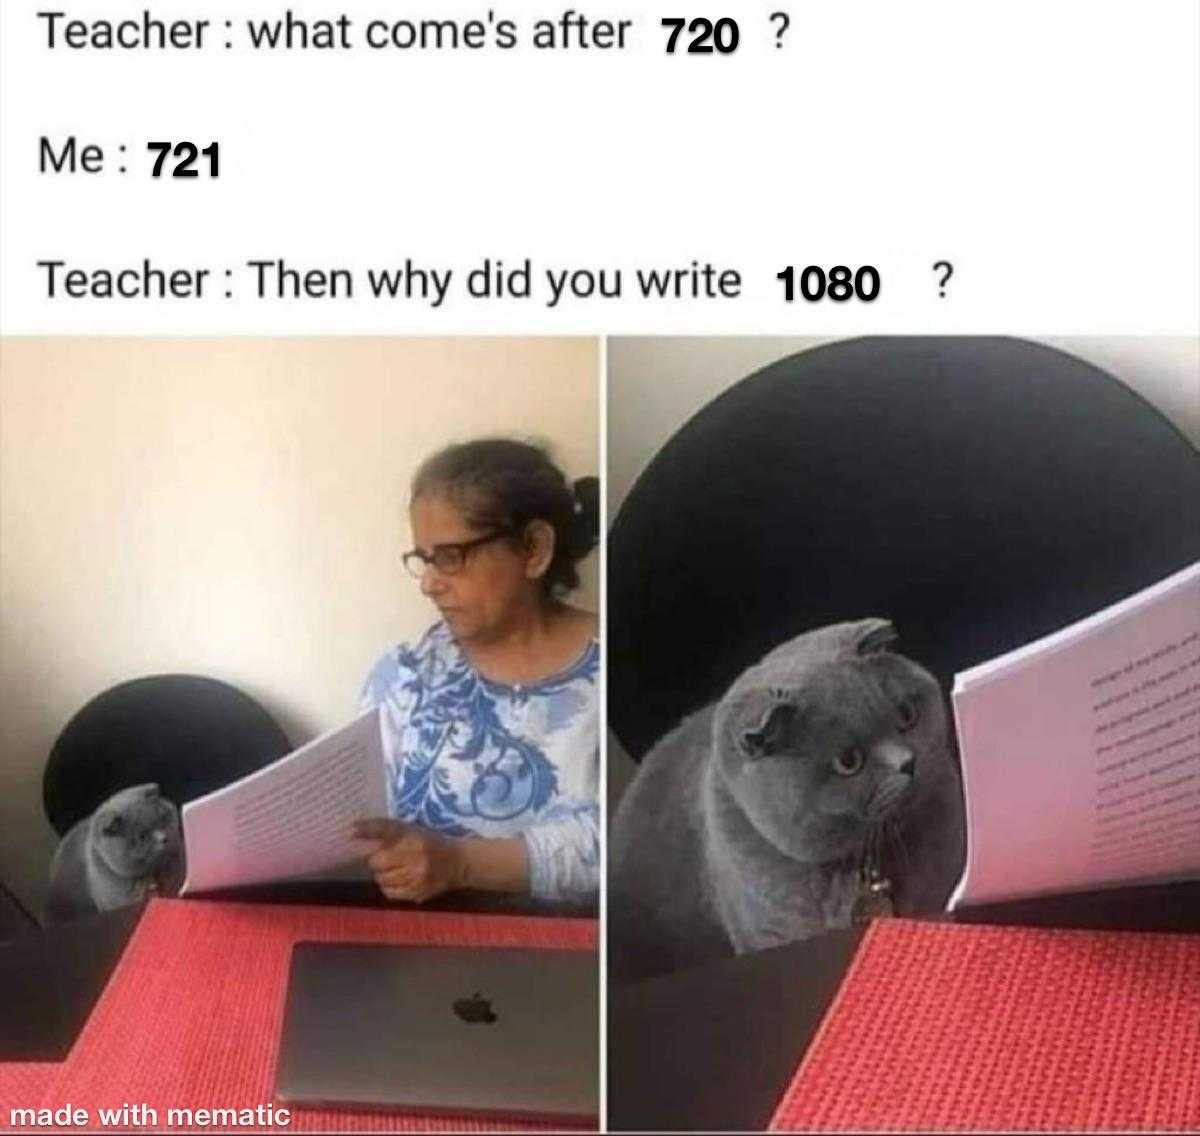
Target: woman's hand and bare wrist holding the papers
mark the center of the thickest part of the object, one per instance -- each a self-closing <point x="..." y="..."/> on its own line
<point x="417" y="865"/>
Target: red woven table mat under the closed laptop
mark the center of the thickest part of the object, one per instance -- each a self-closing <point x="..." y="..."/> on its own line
<point x="193" y="1014"/>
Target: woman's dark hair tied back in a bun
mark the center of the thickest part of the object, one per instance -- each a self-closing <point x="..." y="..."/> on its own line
<point x="503" y="484"/>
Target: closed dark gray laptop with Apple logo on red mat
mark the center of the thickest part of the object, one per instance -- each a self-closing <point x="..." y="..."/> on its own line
<point x="494" y="1031"/>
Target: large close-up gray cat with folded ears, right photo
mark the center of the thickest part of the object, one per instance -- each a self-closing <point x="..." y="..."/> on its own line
<point x="753" y="824"/>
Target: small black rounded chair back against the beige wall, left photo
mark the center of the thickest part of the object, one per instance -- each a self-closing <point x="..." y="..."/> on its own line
<point x="190" y="735"/>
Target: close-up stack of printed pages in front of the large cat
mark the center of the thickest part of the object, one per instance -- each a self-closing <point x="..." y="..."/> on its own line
<point x="1082" y="753"/>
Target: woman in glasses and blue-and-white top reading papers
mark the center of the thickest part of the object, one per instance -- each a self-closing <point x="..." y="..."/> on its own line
<point x="491" y="722"/>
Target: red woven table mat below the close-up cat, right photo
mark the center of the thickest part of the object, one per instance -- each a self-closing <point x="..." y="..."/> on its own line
<point x="950" y="1029"/>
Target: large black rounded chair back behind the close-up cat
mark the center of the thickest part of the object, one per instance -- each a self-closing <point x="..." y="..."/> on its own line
<point x="979" y="492"/>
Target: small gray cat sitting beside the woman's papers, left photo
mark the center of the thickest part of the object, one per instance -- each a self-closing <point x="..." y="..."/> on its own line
<point x="128" y="850"/>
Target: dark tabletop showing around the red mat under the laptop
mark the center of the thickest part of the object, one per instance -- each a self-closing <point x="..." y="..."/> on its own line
<point x="51" y="979"/>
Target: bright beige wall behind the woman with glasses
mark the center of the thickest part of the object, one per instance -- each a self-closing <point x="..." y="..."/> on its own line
<point x="232" y="508"/>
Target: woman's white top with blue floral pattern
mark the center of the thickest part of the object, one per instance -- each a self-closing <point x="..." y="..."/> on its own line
<point x="471" y="758"/>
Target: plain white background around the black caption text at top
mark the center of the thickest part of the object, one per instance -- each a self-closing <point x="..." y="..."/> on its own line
<point x="1048" y="149"/>
